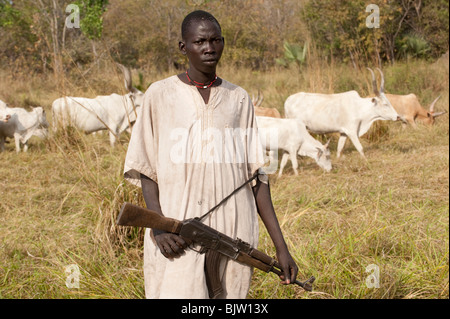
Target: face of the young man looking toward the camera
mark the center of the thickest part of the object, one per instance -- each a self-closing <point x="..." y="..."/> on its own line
<point x="203" y="45"/>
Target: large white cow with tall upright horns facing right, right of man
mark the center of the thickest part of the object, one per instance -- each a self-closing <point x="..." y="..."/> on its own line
<point x="346" y="113"/>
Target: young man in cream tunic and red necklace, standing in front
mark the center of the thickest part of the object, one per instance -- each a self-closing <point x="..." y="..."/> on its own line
<point x="180" y="156"/>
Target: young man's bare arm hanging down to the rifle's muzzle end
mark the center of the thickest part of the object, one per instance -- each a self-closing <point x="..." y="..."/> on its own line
<point x="266" y="211"/>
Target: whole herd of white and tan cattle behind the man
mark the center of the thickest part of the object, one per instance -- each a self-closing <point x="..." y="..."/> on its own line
<point x="347" y="114"/>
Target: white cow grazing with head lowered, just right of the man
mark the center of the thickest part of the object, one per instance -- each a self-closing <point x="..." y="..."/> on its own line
<point x="292" y="138"/>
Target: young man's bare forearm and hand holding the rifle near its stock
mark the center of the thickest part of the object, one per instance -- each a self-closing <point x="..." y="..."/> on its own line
<point x="170" y="245"/>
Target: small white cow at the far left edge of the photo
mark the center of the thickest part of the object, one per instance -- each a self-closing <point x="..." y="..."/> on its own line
<point x="22" y="125"/>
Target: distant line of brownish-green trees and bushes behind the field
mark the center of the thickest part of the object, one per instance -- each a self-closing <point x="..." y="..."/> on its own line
<point x="59" y="35"/>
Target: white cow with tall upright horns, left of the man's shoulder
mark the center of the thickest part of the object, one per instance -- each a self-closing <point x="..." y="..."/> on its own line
<point x="114" y="112"/>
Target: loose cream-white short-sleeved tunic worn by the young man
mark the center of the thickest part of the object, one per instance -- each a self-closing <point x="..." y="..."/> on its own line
<point x="198" y="154"/>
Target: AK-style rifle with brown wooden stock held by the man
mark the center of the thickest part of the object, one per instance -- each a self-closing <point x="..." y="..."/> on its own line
<point x="209" y="239"/>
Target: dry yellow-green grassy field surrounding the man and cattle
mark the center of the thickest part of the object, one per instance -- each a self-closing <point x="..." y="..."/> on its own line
<point x="59" y="201"/>
